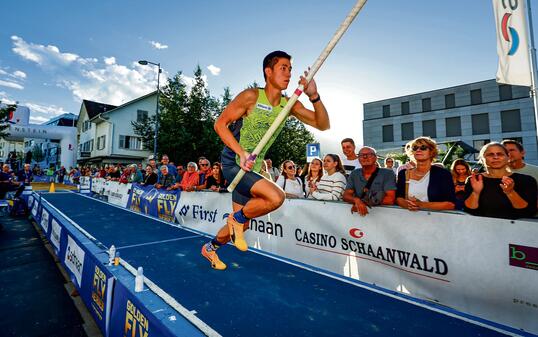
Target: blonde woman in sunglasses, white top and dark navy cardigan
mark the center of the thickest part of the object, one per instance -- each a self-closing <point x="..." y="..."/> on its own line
<point x="426" y="186"/>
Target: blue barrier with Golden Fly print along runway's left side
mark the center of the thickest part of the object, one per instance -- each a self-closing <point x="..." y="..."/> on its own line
<point x="106" y="290"/>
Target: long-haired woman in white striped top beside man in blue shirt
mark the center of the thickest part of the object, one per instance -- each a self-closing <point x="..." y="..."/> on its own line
<point x="332" y="184"/>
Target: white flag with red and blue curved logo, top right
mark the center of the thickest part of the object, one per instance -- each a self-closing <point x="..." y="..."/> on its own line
<point x="512" y="42"/>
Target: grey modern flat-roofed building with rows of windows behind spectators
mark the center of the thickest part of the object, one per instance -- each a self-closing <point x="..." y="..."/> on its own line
<point x="475" y="113"/>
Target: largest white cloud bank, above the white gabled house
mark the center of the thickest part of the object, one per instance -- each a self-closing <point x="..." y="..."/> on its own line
<point x="89" y="78"/>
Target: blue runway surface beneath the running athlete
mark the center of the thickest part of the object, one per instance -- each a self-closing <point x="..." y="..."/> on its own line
<point x="257" y="295"/>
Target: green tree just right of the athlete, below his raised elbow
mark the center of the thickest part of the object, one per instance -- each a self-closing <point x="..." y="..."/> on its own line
<point x="291" y="143"/>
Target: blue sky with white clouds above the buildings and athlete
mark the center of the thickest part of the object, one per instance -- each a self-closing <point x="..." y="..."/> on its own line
<point x="53" y="54"/>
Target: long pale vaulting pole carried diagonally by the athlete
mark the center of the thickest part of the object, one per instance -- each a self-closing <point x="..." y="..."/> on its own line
<point x="313" y="70"/>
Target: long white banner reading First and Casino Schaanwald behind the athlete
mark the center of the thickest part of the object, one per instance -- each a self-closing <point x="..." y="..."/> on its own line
<point x="481" y="266"/>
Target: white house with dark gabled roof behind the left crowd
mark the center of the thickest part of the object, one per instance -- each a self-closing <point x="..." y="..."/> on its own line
<point x="105" y="133"/>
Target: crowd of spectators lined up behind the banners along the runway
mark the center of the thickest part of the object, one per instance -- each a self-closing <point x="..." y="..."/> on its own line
<point x="505" y="186"/>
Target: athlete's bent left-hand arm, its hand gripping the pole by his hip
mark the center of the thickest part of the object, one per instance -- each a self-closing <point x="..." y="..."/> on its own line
<point x="238" y="107"/>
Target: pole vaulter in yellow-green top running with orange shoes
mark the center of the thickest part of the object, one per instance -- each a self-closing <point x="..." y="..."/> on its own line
<point x="241" y="126"/>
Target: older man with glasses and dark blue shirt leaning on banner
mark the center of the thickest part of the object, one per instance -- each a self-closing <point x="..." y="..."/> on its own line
<point x="370" y="185"/>
